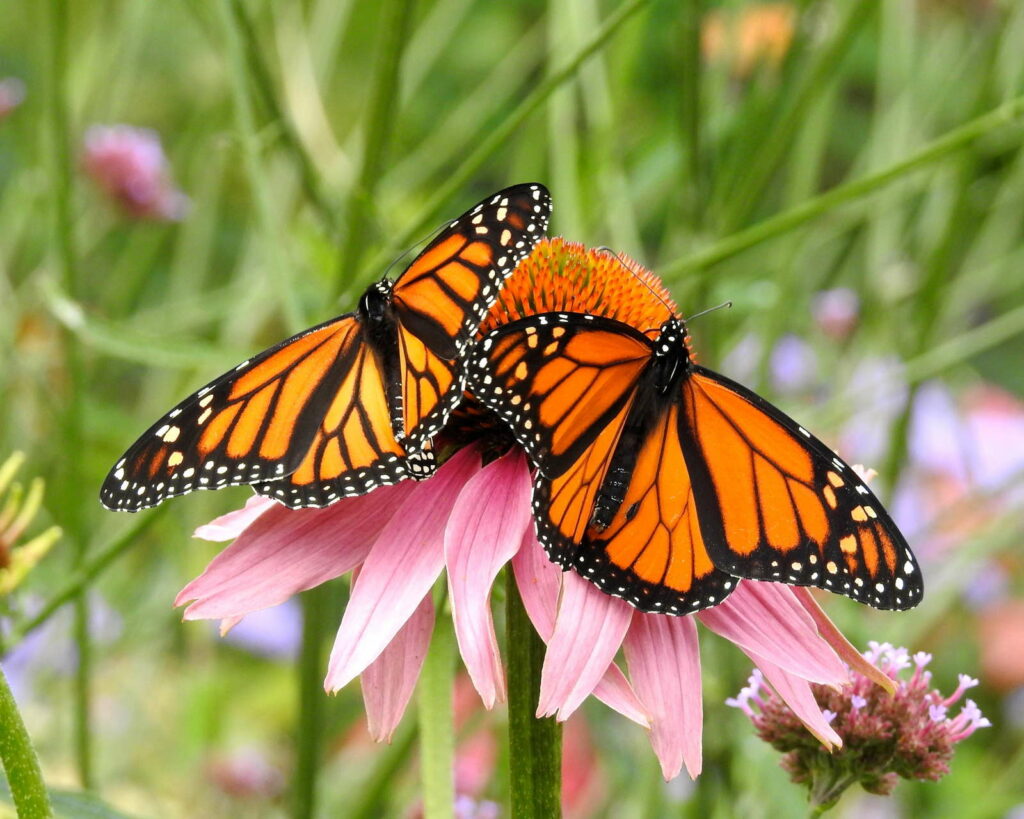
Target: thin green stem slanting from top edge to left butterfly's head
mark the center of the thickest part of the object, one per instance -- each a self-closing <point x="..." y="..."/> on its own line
<point x="497" y="137"/>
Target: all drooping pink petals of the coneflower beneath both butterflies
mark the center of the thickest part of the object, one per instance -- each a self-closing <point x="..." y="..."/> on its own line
<point x="472" y="522"/>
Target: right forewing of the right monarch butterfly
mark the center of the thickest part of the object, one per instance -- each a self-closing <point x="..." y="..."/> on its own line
<point x="777" y="504"/>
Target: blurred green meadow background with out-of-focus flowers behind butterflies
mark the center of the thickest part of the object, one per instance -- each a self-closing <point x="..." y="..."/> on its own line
<point x="834" y="169"/>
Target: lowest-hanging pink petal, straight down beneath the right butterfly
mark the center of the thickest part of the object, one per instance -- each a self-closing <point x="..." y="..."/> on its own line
<point x="665" y="667"/>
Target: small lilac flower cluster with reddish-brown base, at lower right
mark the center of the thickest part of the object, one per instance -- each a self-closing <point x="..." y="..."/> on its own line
<point x="910" y="734"/>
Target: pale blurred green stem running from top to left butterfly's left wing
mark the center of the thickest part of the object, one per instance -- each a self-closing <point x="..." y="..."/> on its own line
<point x="245" y="123"/>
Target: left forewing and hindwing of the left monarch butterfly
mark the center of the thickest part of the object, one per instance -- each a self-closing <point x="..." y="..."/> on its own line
<point x="260" y="423"/>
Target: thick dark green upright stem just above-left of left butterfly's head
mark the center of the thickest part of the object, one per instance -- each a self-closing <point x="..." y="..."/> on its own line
<point x="397" y="19"/>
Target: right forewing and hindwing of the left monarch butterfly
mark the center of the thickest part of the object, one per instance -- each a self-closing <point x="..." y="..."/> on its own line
<point x="443" y="297"/>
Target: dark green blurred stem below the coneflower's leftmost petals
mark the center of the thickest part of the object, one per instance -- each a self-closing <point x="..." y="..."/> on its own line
<point x="316" y="605"/>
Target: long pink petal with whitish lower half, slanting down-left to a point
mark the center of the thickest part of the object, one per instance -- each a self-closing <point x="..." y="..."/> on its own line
<point x="402" y="567"/>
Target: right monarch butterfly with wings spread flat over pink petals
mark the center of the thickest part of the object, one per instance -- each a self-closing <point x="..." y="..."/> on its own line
<point x="664" y="483"/>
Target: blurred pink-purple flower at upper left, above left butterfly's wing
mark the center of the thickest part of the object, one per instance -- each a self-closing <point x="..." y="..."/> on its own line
<point x="130" y="165"/>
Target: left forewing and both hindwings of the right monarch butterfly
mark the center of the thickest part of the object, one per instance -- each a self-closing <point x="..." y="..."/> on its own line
<point x="569" y="386"/>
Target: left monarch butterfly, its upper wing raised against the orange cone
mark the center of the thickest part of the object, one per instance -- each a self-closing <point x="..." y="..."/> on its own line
<point x="352" y="404"/>
